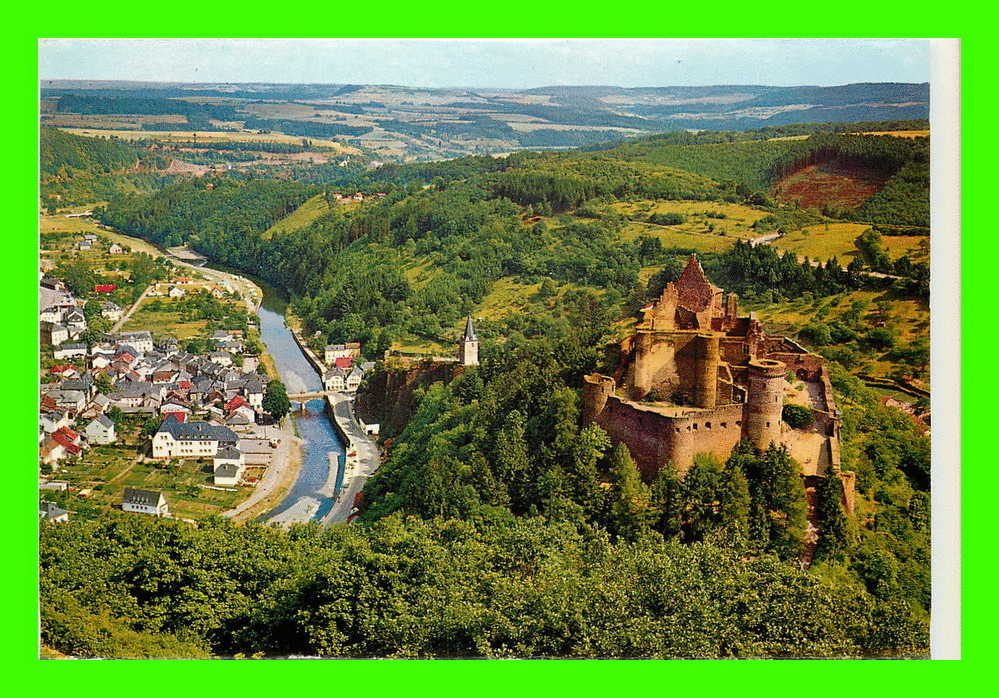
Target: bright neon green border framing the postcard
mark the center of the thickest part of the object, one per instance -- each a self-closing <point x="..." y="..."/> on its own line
<point x="520" y="19"/>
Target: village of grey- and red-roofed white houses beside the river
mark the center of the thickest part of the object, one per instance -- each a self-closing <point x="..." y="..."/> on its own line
<point x="179" y="425"/>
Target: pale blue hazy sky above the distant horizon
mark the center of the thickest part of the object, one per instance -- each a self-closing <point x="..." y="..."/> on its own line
<point x="504" y="63"/>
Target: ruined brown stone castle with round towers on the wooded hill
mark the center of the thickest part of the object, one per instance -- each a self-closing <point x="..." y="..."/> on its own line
<point x="697" y="378"/>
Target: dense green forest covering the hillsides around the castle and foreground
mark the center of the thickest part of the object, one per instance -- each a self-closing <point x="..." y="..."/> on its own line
<point x="498" y="525"/>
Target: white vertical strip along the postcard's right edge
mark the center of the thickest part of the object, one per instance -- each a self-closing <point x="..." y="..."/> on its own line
<point x="945" y="333"/>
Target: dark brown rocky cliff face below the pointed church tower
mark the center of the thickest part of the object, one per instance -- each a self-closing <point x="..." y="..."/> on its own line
<point x="387" y="396"/>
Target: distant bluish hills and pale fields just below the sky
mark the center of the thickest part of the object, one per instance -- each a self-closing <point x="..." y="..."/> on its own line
<point x="395" y="123"/>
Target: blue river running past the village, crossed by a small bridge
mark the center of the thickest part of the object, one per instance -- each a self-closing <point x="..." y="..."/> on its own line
<point x="310" y="498"/>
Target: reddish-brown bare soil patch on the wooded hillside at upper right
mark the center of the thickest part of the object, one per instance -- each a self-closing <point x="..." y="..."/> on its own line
<point x="830" y="184"/>
